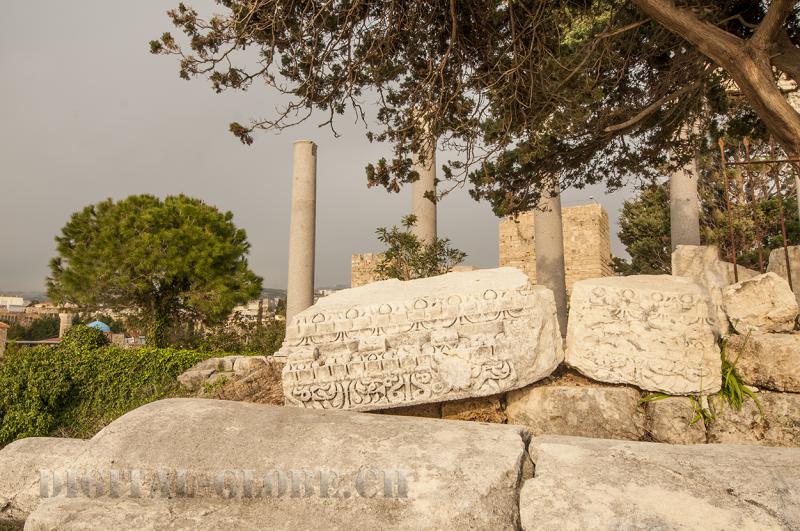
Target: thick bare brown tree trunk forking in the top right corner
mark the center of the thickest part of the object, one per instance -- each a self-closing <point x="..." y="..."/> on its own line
<point x="747" y="62"/>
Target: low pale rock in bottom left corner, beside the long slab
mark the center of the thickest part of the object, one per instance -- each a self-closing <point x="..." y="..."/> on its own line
<point x="20" y="463"/>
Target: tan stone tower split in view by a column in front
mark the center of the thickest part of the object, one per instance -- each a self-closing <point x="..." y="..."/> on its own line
<point x="587" y="243"/>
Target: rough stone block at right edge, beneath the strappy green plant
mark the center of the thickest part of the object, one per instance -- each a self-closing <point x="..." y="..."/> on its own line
<point x="778" y="426"/>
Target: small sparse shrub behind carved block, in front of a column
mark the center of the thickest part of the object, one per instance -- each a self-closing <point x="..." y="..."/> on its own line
<point x="407" y="258"/>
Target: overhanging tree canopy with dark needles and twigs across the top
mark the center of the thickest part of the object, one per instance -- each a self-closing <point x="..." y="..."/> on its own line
<point x="590" y="91"/>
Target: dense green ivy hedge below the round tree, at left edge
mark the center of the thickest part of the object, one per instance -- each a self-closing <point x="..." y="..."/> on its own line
<point x="82" y="384"/>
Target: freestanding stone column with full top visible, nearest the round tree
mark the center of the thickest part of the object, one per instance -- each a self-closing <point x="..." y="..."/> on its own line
<point x="302" y="231"/>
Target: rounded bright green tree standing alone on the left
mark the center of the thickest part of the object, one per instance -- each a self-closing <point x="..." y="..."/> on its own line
<point x="167" y="261"/>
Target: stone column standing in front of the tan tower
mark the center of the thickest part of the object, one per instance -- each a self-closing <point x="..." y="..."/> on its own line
<point x="548" y="240"/>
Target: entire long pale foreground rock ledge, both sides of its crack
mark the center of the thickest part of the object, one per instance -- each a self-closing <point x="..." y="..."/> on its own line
<point x="460" y="475"/>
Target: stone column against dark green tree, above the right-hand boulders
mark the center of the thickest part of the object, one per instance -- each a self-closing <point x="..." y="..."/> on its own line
<point x="684" y="211"/>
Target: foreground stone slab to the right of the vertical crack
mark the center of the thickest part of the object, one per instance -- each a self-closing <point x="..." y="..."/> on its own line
<point x="603" y="484"/>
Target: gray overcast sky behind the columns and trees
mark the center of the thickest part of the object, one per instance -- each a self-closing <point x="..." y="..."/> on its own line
<point x="87" y="113"/>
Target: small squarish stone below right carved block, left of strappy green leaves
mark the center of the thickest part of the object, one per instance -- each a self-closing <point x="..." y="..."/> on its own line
<point x="669" y="420"/>
